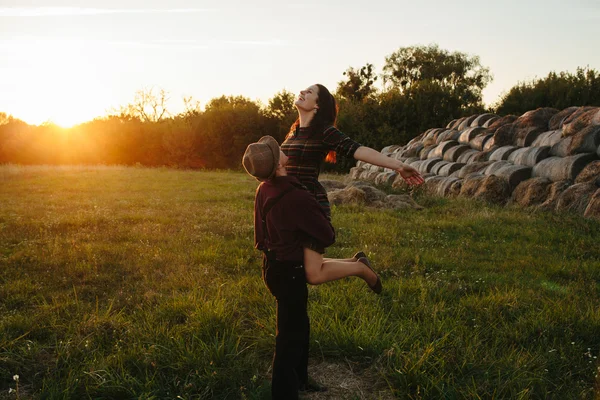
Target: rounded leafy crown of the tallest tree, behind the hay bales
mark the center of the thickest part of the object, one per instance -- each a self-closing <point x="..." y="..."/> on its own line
<point x="461" y="75"/>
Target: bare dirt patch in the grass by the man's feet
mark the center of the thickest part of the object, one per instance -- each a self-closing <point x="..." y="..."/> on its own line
<point x="346" y="380"/>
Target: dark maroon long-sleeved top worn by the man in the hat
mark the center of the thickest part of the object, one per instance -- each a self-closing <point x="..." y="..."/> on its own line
<point x="294" y="221"/>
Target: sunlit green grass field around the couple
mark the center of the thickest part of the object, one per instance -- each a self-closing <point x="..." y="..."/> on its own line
<point x="143" y="283"/>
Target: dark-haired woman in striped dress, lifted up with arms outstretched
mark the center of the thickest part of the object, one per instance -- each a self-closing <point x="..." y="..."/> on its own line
<point x="313" y="138"/>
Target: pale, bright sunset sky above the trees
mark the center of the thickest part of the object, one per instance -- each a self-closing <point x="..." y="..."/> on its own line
<point x="71" y="61"/>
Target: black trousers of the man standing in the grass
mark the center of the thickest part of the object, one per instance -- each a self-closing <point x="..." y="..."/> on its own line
<point x="287" y="282"/>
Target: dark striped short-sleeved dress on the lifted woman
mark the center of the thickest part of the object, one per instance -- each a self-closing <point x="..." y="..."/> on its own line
<point x="307" y="150"/>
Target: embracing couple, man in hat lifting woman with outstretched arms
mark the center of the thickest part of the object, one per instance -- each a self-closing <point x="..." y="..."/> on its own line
<point x="292" y="226"/>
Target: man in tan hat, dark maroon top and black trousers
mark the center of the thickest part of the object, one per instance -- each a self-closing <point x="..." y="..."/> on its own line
<point x="287" y="218"/>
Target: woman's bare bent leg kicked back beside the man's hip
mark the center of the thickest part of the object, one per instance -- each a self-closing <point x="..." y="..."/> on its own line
<point x="319" y="271"/>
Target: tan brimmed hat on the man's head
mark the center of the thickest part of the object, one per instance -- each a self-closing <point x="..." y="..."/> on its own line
<point x="261" y="158"/>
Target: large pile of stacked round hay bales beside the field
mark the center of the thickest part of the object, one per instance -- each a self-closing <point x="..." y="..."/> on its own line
<point x="545" y="158"/>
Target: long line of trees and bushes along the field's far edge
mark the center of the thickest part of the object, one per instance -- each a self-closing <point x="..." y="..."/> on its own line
<point x="422" y="87"/>
